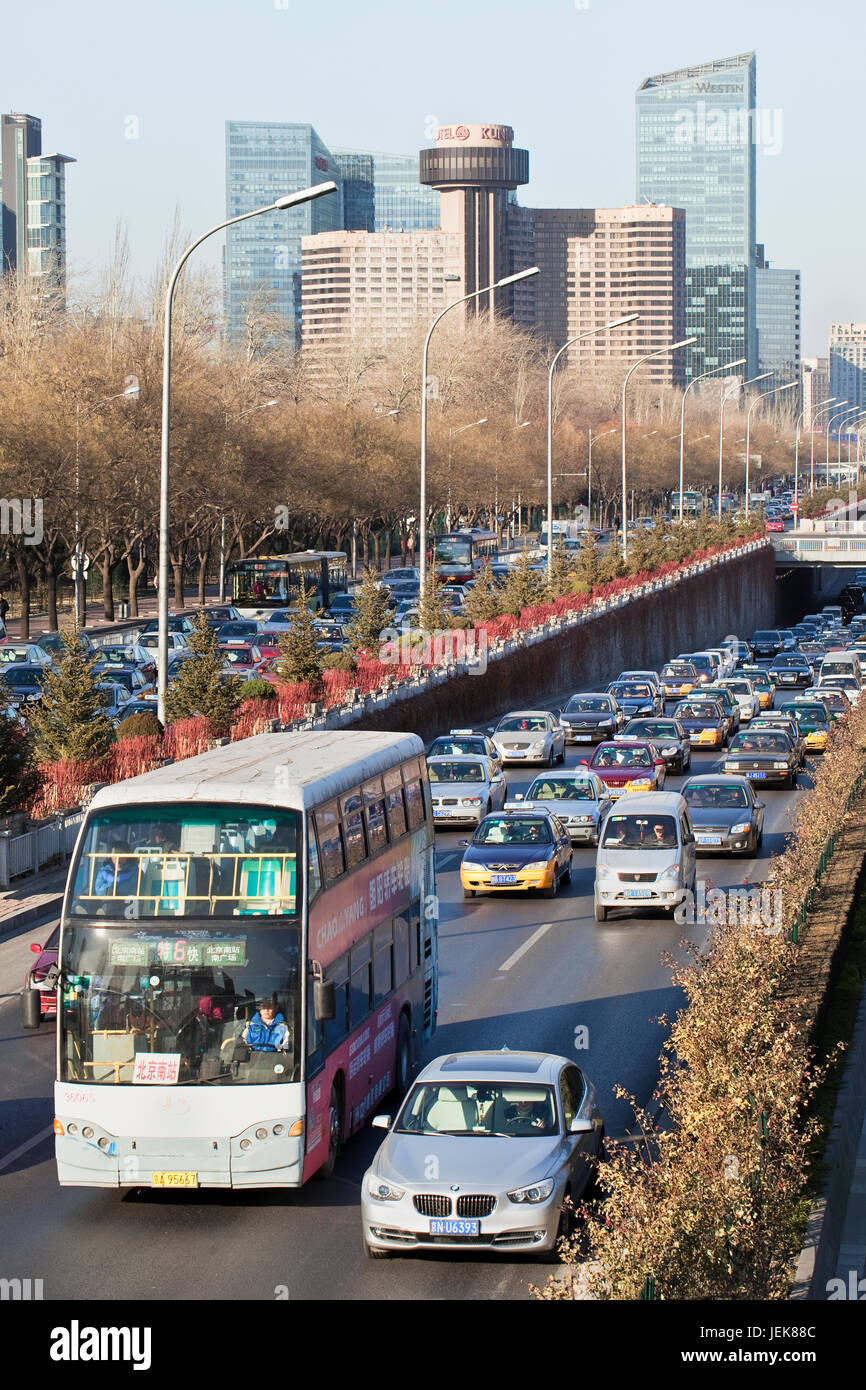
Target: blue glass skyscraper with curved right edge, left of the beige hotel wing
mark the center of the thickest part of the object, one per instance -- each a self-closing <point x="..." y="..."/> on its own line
<point x="265" y="161"/>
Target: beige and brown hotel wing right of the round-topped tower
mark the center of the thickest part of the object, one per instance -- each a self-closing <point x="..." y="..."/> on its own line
<point x="598" y="265"/>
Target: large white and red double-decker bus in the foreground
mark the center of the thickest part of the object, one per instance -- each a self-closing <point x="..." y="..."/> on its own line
<point x="248" y="961"/>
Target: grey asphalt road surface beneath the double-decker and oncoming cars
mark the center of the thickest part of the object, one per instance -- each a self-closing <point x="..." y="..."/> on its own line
<point x="518" y="972"/>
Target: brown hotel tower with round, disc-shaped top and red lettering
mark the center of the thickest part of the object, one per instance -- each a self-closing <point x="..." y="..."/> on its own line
<point x="477" y="170"/>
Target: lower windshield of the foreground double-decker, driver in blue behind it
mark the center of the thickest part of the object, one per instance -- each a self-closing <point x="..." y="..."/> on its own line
<point x="144" y="1006"/>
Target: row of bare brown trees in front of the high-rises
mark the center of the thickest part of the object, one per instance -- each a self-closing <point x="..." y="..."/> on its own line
<point x="286" y="450"/>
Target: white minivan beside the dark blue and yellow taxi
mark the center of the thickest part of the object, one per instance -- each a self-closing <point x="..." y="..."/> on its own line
<point x="647" y="854"/>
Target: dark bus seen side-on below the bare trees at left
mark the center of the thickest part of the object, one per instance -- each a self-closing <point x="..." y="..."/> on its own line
<point x="272" y="582"/>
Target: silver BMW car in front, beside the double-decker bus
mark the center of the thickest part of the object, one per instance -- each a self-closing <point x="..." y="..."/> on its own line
<point x="483" y="1154"/>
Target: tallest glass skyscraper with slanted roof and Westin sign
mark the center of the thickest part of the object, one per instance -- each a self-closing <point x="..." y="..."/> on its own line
<point x="696" y="149"/>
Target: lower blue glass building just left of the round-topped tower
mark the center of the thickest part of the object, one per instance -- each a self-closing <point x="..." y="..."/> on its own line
<point x="401" y="204"/>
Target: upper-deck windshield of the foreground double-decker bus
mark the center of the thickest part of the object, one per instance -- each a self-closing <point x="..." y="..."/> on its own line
<point x="188" y="861"/>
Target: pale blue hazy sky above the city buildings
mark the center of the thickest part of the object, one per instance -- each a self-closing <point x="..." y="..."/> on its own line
<point x="380" y="76"/>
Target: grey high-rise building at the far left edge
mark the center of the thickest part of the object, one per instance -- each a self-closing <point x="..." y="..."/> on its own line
<point x="33" y="194"/>
